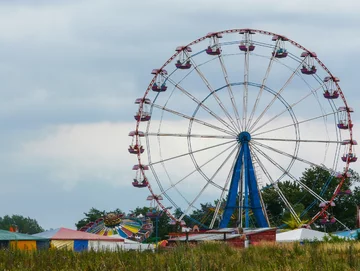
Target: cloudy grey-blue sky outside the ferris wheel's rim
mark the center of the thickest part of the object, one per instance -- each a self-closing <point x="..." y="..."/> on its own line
<point x="70" y="71"/>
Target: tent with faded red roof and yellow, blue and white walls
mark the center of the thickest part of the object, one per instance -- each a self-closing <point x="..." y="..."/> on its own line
<point x="79" y="241"/>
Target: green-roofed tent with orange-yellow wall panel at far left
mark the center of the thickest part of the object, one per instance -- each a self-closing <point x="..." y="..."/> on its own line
<point x="22" y="241"/>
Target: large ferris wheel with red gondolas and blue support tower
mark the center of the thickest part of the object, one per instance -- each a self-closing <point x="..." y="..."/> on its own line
<point x="235" y="112"/>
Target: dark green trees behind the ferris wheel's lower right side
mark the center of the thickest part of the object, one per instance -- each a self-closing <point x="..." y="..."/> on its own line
<point x="315" y="178"/>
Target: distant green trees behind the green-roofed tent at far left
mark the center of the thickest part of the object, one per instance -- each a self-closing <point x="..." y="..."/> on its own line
<point x="24" y="224"/>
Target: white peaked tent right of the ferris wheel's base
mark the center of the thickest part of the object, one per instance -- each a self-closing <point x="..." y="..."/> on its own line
<point x="299" y="235"/>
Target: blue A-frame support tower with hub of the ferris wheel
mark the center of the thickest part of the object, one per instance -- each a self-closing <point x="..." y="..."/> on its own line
<point x="251" y="192"/>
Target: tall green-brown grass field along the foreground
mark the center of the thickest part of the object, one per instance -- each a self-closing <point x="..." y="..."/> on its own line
<point x="209" y="256"/>
